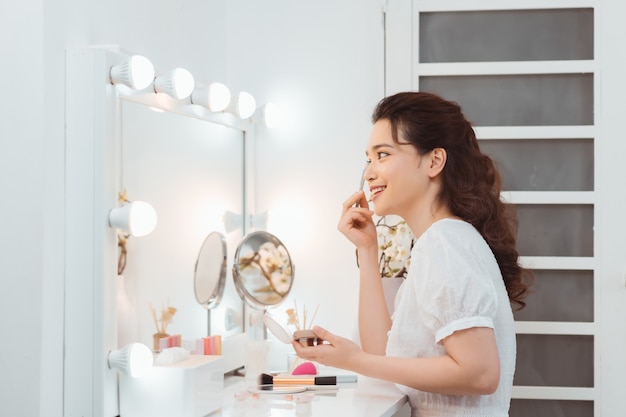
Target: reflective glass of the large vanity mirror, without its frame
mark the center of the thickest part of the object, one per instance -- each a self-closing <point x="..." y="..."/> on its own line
<point x="192" y="172"/>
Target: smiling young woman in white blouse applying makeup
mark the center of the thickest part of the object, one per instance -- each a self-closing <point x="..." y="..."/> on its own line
<point x="451" y="343"/>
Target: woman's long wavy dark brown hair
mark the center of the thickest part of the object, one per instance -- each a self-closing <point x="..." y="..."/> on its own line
<point x="471" y="183"/>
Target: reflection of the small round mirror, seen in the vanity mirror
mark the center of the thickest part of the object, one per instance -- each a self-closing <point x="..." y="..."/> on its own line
<point x="210" y="271"/>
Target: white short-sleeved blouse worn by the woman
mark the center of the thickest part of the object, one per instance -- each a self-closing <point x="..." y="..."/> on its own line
<point x="454" y="283"/>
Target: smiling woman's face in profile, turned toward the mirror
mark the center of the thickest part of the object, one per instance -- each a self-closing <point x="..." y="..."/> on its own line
<point x="397" y="175"/>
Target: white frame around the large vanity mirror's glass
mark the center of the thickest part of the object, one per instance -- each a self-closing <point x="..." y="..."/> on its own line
<point x="92" y="140"/>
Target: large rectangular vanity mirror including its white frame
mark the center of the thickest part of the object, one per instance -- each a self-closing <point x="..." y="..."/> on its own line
<point x="192" y="166"/>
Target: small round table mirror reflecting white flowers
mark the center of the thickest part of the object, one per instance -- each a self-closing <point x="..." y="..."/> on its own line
<point x="262" y="270"/>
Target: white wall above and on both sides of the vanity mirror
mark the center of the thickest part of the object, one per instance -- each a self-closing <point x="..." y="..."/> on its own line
<point x="321" y="60"/>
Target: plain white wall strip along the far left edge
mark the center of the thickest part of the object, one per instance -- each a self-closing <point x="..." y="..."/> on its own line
<point x="22" y="166"/>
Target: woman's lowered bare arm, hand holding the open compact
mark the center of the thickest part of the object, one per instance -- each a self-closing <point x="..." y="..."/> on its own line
<point x="470" y="367"/>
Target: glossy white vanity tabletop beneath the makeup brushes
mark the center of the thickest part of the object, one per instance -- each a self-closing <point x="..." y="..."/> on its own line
<point x="367" y="397"/>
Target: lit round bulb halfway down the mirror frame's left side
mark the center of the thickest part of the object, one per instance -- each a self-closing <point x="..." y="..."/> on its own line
<point x="138" y="218"/>
